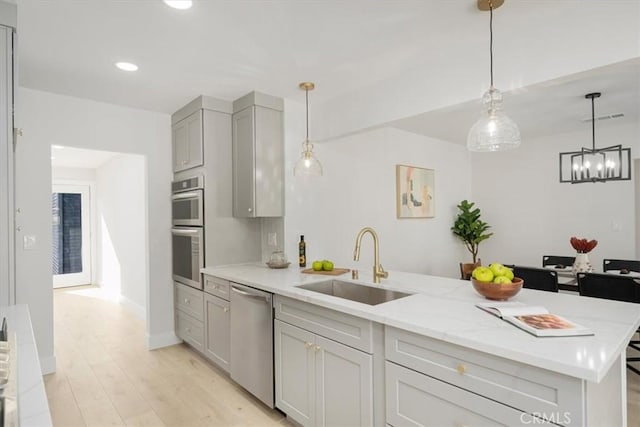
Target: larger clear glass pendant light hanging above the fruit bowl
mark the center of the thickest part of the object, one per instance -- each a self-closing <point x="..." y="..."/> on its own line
<point x="494" y="131"/>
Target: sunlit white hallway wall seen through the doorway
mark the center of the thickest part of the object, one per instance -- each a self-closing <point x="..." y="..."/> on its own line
<point x="121" y="217"/>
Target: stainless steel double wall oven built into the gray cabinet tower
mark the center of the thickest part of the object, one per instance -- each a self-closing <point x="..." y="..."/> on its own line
<point x="187" y="207"/>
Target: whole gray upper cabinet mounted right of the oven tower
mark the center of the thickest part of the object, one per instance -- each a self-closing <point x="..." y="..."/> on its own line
<point x="258" y="156"/>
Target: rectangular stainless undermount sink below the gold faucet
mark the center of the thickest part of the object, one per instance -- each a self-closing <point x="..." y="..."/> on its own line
<point x="354" y="292"/>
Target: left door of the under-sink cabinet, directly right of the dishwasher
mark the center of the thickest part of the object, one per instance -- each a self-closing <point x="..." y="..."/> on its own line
<point x="294" y="370"/>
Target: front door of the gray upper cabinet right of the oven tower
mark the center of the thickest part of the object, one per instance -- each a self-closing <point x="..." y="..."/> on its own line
<point x="244" y="163"/>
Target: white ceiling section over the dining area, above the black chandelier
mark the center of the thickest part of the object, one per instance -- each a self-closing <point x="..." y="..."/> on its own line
<point x="547" y="108"/>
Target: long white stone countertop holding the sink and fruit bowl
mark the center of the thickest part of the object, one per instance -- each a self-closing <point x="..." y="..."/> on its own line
<point x="443" y="308"/>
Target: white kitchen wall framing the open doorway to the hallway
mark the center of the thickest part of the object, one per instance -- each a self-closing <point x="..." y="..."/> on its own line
<point x="48" y="119"/>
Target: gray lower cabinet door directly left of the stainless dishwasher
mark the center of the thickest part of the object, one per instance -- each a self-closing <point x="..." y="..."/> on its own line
<point x="216" y="330"/>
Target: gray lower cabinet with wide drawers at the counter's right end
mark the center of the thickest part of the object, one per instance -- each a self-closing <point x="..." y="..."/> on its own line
<point x="432" y="383"/>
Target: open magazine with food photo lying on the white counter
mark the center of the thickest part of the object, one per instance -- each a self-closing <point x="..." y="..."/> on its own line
<point x="534" y="319"/>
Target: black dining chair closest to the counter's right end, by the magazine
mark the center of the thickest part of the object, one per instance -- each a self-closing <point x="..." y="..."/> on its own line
<point x="616" y="288"/>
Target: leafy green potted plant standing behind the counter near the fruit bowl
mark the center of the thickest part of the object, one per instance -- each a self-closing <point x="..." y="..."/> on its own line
<point x="469" y="228"/>
